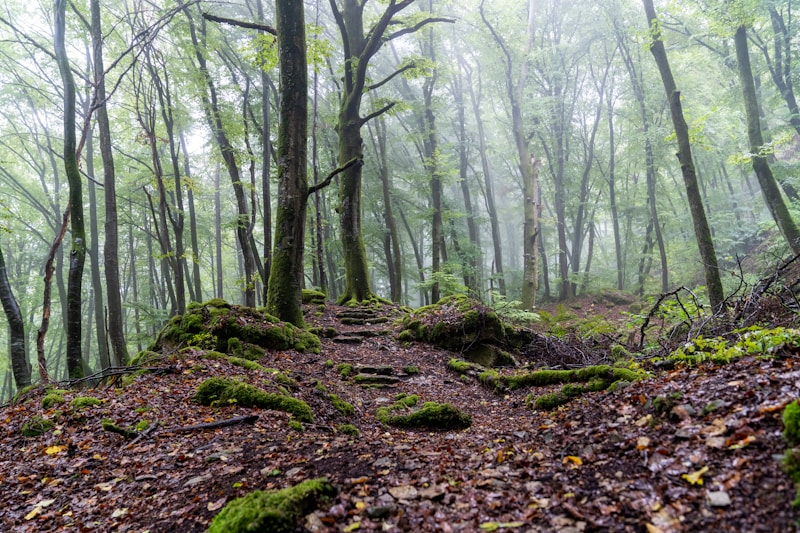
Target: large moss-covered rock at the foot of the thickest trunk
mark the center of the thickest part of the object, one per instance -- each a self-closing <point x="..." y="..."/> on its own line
<point x="213" y="325"/>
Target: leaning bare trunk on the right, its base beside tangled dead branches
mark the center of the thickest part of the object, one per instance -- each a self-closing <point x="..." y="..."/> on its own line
<point x="702" y="231"/>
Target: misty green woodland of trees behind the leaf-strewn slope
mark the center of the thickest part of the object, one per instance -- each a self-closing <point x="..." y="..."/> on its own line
<point x="521" y="152"/>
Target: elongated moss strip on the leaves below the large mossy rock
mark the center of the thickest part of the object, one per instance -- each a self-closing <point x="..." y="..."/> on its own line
<point x="220" y="391"/>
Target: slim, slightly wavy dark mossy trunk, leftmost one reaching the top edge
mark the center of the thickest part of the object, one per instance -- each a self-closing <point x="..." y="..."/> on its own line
<point x="77" y="256"/>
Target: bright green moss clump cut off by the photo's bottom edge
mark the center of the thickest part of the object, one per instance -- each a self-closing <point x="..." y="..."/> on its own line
<point x="272" y="511"/>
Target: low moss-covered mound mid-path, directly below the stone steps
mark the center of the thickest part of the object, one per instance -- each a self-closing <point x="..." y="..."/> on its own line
<point x="430" y="415"/>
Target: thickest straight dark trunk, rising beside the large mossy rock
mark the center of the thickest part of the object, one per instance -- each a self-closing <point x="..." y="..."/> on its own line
<point x="284" y="298"/>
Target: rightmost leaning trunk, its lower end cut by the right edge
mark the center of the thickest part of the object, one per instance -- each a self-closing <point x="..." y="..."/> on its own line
<point x="772" y="195"/>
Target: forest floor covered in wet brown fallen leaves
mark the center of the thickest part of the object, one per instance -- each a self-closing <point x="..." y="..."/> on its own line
<point x="604" y="462"/>
